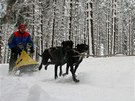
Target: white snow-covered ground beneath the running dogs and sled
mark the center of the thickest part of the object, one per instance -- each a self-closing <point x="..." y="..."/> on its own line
<point x="101" y="79"/>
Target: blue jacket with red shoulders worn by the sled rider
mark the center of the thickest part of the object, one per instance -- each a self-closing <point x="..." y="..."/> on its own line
<point x="20" y="38"/>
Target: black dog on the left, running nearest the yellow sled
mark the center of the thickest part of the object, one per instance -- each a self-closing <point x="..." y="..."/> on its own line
<point x="57" y="56"/>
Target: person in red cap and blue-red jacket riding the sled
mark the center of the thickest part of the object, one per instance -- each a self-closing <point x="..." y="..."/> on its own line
<point x="18" y="41"/>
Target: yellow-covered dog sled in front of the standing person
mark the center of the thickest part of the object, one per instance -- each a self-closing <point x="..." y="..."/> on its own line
<point x="25" y="64"/>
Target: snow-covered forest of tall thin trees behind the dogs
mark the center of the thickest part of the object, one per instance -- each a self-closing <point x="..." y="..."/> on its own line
<point x="107" y="26"/>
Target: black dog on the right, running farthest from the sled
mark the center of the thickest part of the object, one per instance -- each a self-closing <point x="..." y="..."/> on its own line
<point x="75" y="57"/>
